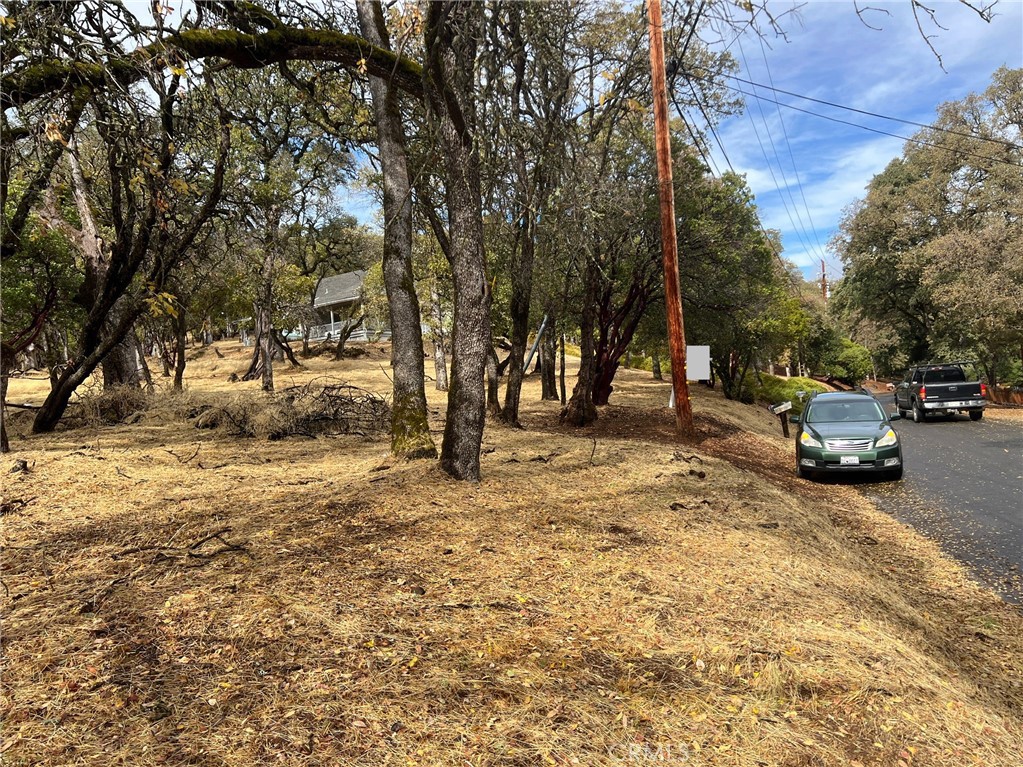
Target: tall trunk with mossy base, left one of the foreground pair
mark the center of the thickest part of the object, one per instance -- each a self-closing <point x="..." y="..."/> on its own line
<point x="410" y="427"/>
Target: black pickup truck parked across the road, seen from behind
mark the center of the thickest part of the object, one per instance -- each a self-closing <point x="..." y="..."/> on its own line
<point x="941" y="389"/>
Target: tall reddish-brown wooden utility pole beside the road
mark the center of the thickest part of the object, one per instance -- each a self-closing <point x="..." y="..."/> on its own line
<point x="670" y="242"/>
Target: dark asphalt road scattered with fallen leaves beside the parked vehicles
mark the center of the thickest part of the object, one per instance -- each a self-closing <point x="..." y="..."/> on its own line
<point x="963" y="488"/>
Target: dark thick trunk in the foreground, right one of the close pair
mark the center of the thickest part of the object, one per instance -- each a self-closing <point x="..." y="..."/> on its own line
<point x="452" y="41"/>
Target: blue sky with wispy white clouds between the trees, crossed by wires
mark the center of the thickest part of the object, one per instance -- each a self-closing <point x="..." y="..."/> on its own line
<point x="810" y="169"/>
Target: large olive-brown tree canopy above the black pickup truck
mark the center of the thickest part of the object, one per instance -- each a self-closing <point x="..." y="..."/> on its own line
<point x="936" y="251"/>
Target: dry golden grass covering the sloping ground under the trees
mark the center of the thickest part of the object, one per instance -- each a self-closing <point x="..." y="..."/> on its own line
<point x="607" y="597"/>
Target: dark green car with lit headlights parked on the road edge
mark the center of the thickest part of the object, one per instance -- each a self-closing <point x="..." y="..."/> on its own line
<point x="847" y="433"/>
